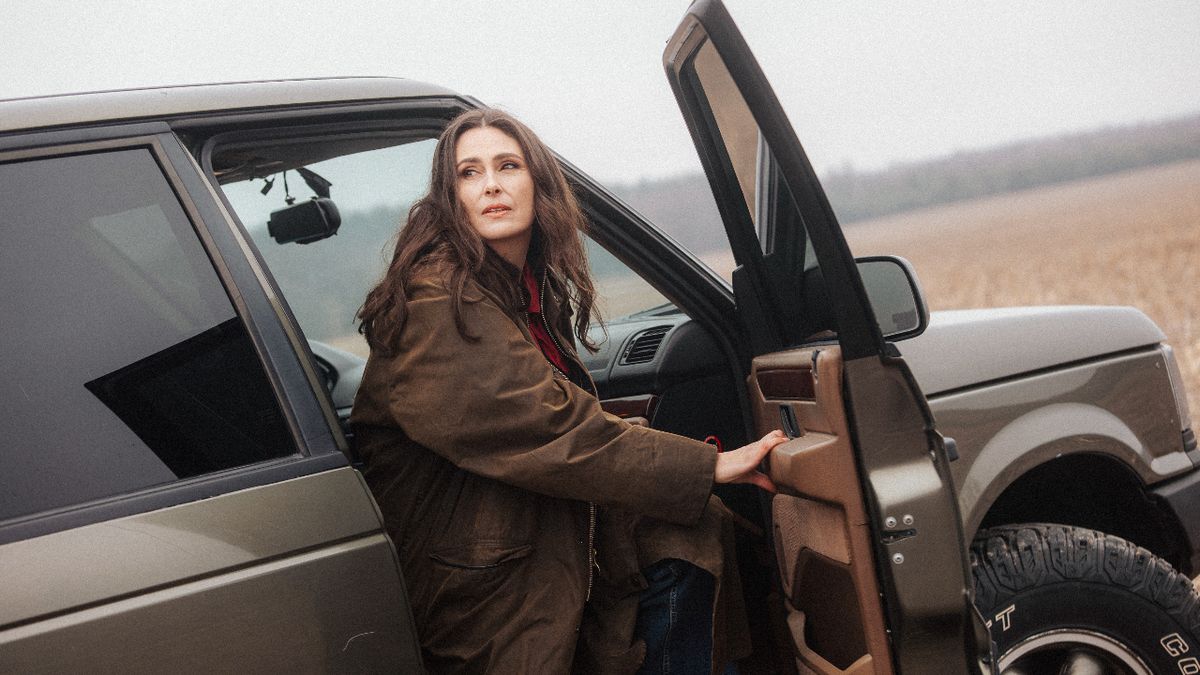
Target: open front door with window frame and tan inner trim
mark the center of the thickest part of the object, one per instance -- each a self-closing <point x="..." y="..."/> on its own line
<point x="868" y="537"/>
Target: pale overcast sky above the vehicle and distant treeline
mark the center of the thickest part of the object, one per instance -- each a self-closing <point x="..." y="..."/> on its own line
<point x="866" y="83"/>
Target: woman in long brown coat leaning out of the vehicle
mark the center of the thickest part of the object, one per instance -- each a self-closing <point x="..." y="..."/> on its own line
<point x="521" y="511"/>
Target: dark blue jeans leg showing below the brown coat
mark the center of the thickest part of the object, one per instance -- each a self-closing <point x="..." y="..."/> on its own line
<point x="675" y="618"/>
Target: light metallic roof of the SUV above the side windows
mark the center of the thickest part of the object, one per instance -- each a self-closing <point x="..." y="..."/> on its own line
<point x="130" y="105"/>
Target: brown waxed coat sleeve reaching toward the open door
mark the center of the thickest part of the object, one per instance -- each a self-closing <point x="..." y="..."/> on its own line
<point x="495" y="409"/>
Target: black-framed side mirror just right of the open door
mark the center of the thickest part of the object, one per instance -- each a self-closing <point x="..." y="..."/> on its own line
<point x="896" y="296"/>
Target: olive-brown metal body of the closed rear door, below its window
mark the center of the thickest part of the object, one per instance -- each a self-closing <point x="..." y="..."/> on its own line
<point x="269" y="580"/>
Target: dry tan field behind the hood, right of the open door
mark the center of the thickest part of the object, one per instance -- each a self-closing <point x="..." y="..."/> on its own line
<point x="1125" y="240"/>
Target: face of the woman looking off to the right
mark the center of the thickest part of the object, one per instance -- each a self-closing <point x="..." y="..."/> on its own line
<point x="496" y="190"/>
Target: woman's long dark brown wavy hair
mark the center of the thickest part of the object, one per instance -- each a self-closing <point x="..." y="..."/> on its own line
<point x="440" y="234"/>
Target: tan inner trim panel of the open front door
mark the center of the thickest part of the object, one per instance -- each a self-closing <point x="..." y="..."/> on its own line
<point x="821" y="527"/>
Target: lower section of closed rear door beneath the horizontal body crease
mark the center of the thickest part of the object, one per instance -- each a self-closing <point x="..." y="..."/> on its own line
<point x="266" y="626"/>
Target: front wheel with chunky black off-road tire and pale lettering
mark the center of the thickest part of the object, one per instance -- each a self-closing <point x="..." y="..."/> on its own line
<point x="1067" y="600"/>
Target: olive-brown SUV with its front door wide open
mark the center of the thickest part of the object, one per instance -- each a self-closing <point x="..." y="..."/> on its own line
<point x="178" y="486"/>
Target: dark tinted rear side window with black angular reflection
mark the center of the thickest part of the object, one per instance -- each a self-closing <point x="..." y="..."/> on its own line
<point x="124" y="363"/>
